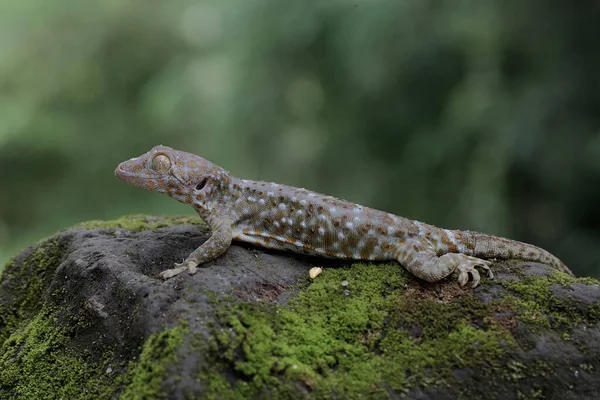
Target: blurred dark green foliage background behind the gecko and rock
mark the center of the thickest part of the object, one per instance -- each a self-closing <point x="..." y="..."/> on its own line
<point x="480" y="115"/>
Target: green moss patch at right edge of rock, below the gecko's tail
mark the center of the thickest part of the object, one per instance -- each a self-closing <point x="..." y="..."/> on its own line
<point x="534" y="302"/>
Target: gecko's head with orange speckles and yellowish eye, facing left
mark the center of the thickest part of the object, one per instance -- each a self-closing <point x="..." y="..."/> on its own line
<point x="181" y="175"/>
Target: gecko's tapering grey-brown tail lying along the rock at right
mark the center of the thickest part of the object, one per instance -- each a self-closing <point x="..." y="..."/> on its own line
<point x="489" y="246"/>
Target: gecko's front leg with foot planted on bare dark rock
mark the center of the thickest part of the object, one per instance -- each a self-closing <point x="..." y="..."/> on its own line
<point x="216" y="245"/>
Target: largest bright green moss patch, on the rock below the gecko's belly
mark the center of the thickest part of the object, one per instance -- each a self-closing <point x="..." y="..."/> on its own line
<point x="328" y="343"/>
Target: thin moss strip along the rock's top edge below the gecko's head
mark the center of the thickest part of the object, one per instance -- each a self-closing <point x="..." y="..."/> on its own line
<point x="138" y="223"/>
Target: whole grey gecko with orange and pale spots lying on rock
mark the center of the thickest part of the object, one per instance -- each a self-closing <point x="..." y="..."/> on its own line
<point x="299" y="220"/>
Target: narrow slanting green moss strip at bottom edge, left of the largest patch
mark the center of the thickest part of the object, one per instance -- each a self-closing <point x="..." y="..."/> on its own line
<point x="158" y="355"/>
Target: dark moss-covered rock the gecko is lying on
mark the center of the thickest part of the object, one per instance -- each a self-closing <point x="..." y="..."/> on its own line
<point x="83" y="315"/>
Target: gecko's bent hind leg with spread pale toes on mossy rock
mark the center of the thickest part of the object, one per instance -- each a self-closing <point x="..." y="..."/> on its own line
<point x="420" y="259"/>
